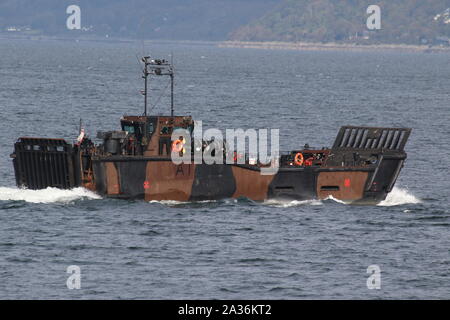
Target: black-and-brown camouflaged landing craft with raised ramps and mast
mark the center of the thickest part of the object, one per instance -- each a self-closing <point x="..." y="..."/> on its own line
<point x="361" y="167"/>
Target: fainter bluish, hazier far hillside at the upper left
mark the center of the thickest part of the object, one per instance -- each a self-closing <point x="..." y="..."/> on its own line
<point x="149" y="19"/>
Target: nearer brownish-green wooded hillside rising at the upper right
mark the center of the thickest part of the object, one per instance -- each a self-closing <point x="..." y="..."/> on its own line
<point x="402" y="21"/>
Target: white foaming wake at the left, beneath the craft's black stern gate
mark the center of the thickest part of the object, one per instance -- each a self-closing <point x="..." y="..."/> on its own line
<point x="49" y="195"/>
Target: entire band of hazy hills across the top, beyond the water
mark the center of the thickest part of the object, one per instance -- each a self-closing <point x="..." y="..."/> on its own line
<point x="402" y="21"/>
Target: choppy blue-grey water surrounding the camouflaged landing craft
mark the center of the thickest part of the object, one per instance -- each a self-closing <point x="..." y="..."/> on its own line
<point x="232" y="249"/>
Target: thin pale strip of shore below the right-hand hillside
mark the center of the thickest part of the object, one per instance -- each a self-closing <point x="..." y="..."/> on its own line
<point x="311" y="46"/>
